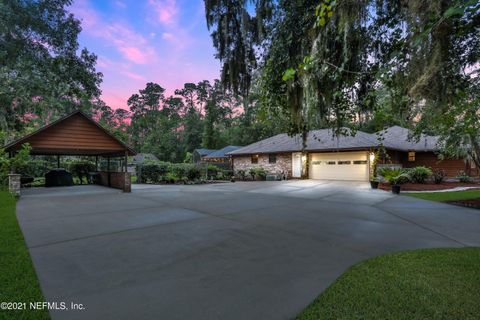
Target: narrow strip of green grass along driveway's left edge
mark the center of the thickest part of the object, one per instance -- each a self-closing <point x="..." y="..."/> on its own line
<point x="18" y="280"/>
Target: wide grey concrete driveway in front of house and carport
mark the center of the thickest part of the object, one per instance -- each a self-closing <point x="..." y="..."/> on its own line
<point x="245" y="250"/>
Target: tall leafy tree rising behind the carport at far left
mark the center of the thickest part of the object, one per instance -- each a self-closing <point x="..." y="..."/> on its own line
<point x="41" y="73"/>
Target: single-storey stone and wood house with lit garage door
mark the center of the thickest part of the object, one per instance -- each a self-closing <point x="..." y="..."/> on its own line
<point x="346" y="157"/>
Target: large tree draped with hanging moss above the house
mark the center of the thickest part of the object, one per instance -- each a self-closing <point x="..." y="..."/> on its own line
<point x="324" y="60"/>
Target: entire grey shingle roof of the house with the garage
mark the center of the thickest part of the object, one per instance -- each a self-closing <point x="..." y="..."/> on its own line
<point x="323" y="140"/>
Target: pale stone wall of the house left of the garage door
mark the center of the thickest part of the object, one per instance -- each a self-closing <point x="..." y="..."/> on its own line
<point x="283" y="163"/>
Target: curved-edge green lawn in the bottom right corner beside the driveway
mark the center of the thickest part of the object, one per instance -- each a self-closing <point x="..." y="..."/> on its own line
<point x="421" y="284"/>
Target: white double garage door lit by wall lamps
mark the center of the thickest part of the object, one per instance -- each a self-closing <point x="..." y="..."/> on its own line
<point x="339" y="166"/>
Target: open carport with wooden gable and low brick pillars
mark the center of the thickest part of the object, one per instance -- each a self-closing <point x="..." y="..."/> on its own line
<point x="77" y="134"/>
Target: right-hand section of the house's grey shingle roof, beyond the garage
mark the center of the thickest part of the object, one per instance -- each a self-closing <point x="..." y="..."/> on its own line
<point x="401" y="139"/>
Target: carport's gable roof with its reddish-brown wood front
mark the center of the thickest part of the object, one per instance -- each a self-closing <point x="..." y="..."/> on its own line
<point x="74" y="134"/>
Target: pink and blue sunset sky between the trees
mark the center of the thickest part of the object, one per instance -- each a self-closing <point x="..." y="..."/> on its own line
<point x="162" y="41"/>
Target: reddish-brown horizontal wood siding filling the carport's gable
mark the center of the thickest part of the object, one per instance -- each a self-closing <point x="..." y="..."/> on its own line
<point x="74" y="135"/>
